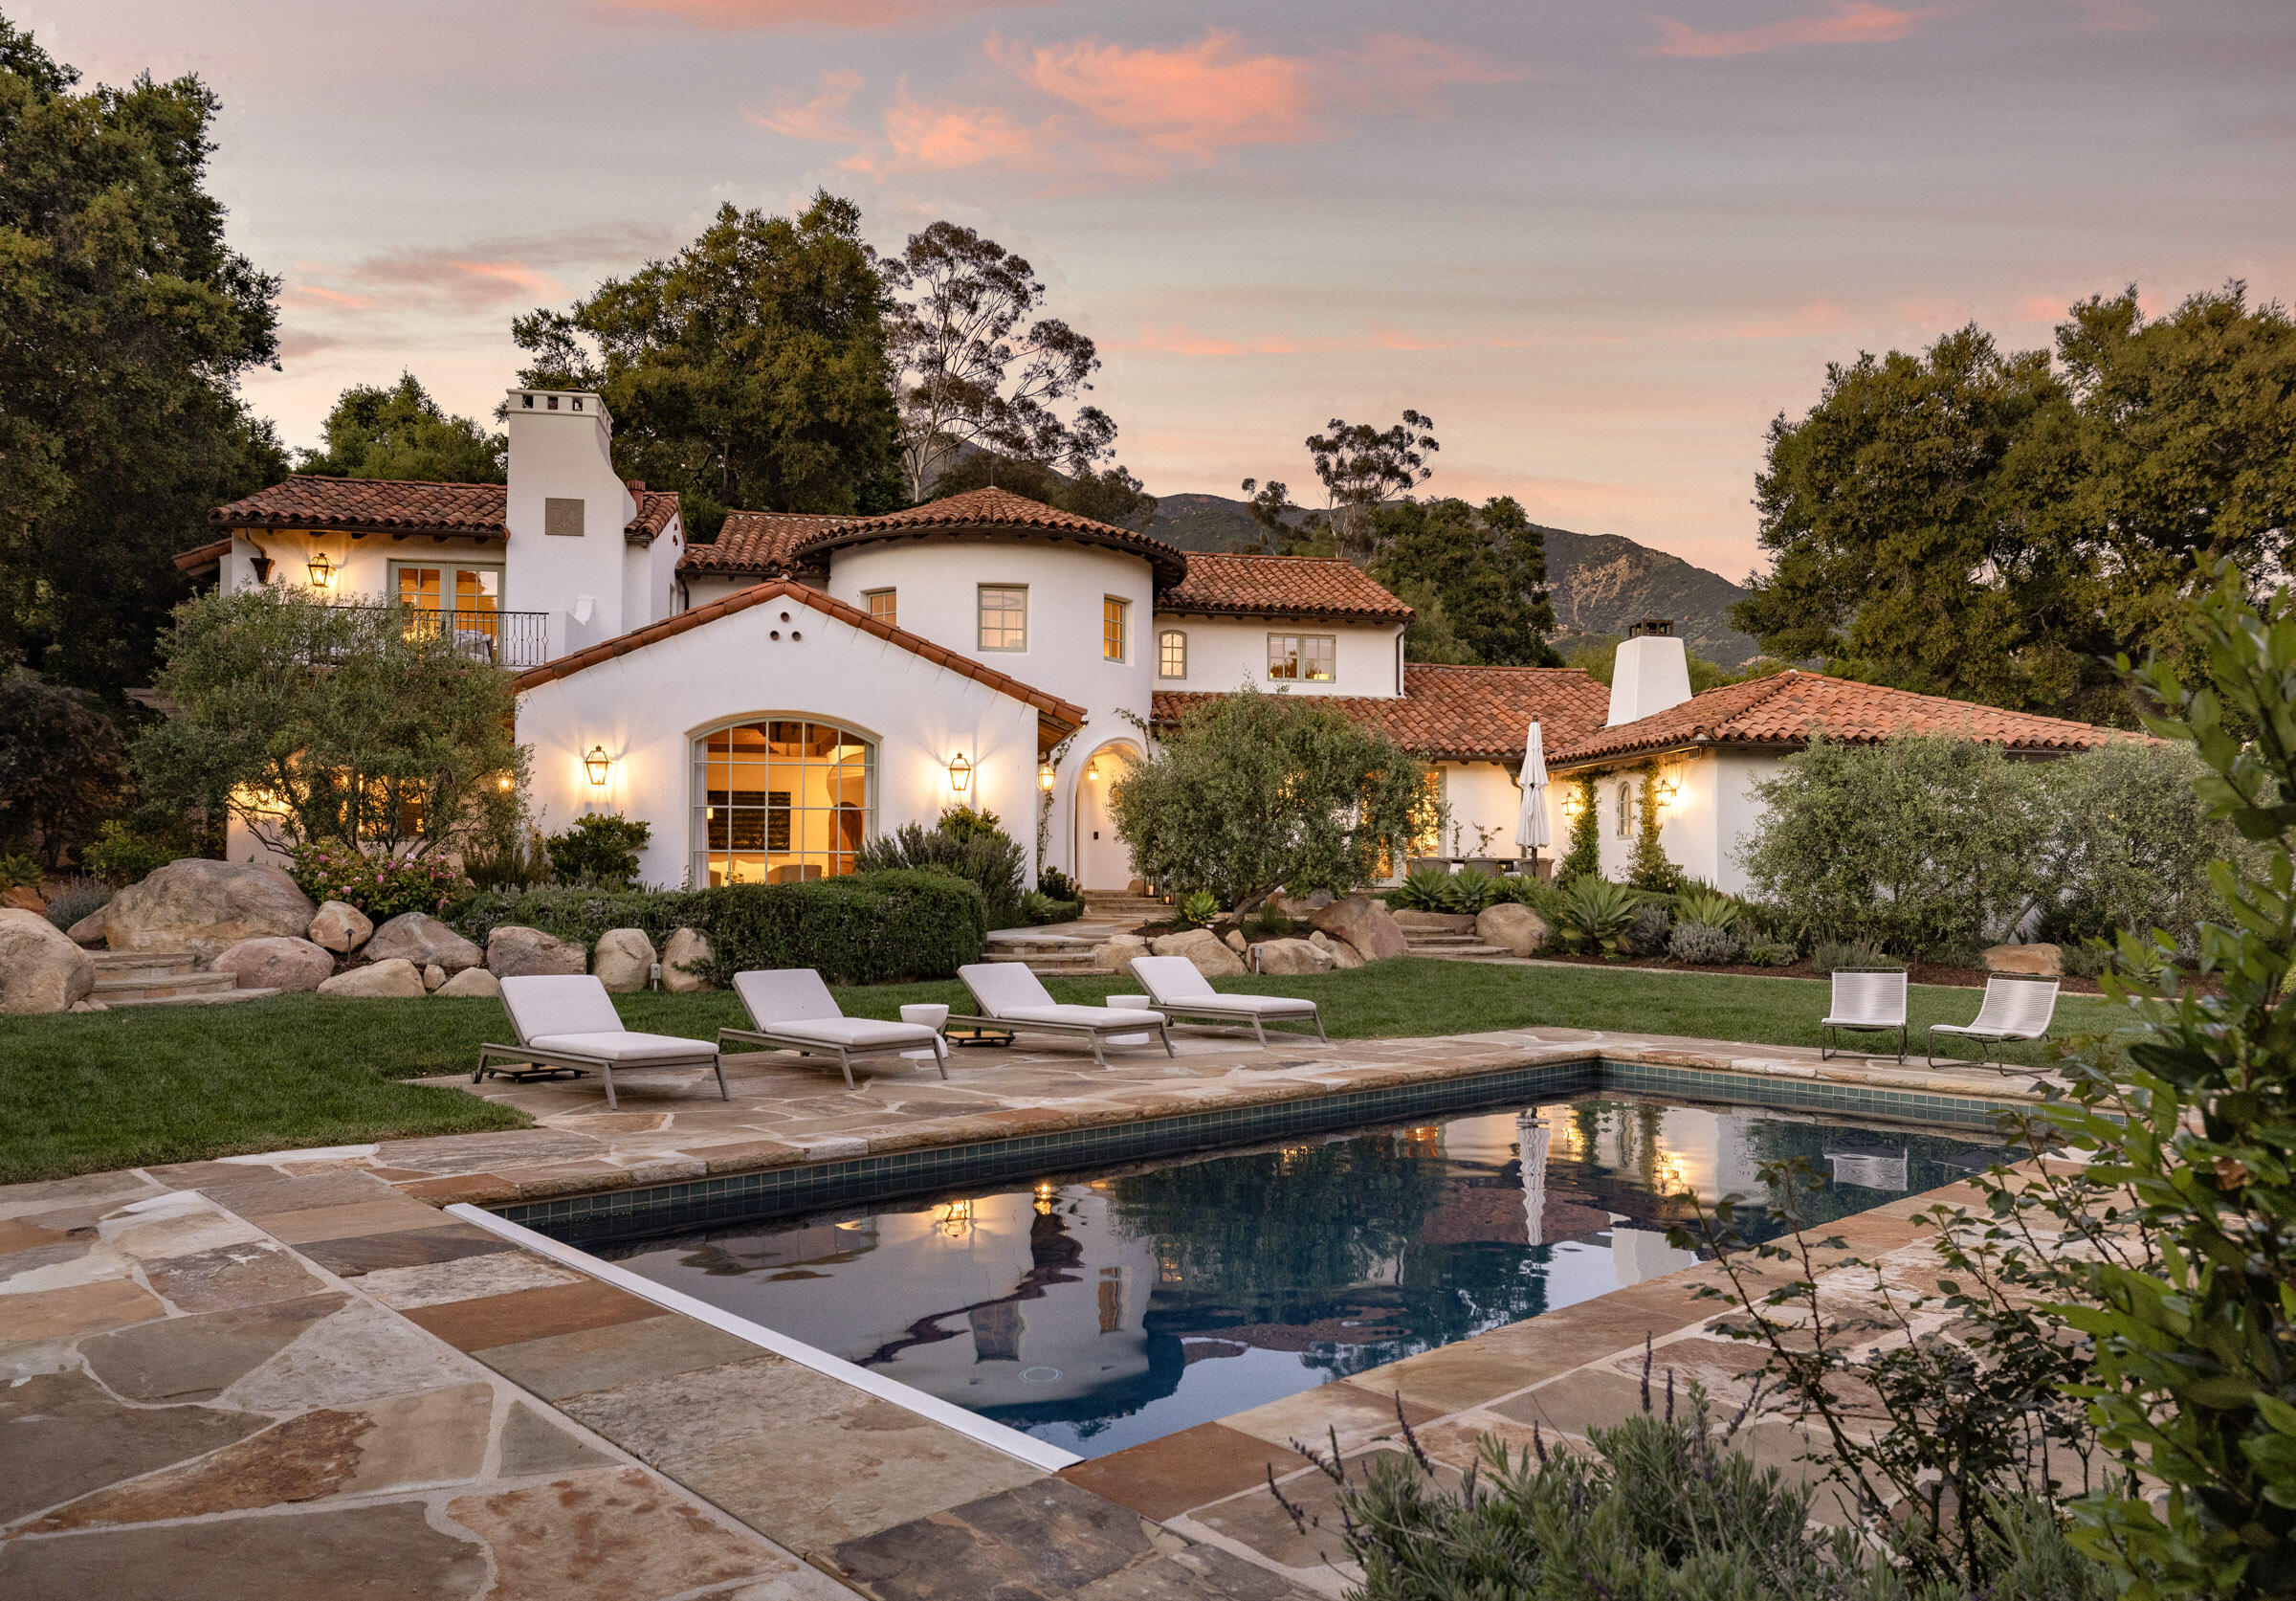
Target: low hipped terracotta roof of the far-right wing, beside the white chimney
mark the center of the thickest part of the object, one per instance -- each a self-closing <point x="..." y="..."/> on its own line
<point x="1785" y="711"/>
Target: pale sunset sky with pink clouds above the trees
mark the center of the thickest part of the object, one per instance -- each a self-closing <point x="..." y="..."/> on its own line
<point x="1599" y="245"/>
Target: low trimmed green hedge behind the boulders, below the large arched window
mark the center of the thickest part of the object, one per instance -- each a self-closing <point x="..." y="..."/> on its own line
<point x="855" y="929"/>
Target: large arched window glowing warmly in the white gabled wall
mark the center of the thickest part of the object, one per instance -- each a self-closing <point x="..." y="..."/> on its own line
<point x="782" y="800"/>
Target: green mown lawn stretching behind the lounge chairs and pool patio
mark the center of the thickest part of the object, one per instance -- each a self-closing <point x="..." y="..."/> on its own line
<point x="93" y="1092"/>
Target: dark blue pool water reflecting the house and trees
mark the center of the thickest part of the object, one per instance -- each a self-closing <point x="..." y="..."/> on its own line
<point x="1106" y="1310"/>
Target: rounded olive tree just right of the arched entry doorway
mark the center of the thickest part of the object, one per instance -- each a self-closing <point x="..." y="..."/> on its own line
<point x="1266" y="791"/>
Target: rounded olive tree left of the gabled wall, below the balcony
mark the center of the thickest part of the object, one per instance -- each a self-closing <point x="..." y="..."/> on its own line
<point x="320" y="722"/>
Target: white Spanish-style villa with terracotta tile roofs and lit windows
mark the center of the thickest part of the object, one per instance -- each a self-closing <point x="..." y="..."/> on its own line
<point x="805" y="683"/>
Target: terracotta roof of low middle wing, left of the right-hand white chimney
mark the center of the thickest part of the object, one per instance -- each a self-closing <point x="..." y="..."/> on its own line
<point x="1461" y="713"/>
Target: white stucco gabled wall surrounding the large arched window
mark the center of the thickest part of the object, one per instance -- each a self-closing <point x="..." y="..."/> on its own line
<point x="651" y="706"/>
